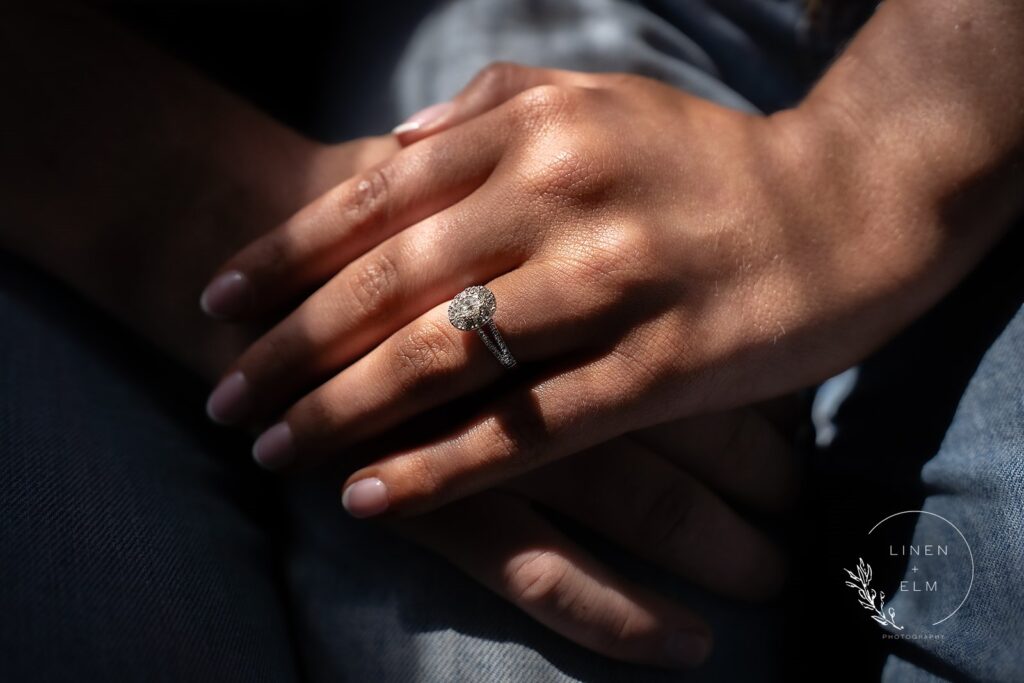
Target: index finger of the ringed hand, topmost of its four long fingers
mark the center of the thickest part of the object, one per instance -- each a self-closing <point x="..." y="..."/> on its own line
<point x="349" y="221"/>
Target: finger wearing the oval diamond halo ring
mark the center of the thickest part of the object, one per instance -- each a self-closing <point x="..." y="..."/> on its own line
<point x="430" y="363"/>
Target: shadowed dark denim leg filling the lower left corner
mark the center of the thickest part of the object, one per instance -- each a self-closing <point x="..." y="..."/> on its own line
<point x="136" y="543"/>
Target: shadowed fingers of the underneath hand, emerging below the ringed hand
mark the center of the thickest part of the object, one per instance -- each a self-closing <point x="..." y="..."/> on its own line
<point x="649" y="493"/>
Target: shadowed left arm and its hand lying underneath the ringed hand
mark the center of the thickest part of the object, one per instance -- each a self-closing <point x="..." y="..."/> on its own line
<point x="146" y="177"/>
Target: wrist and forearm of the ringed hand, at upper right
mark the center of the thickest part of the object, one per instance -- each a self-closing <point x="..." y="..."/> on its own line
<point x="917" y="155"/>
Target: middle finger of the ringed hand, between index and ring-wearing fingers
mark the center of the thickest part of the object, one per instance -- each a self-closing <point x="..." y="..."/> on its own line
<point x="368" y="301"/>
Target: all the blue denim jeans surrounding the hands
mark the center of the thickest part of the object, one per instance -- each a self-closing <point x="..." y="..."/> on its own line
<point x="140" y="543"/>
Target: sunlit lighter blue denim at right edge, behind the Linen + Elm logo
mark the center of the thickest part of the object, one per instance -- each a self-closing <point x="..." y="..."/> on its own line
<point x="977" y="480"/>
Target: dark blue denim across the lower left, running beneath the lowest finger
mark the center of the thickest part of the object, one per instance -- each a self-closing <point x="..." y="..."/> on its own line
<point x="140" y="543"/>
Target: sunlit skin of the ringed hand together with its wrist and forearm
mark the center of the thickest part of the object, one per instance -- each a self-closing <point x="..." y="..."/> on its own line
<point x="654" y="255"/>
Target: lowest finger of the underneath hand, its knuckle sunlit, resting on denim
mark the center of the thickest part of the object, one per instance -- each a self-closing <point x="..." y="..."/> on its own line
<point x="500" y="541"/>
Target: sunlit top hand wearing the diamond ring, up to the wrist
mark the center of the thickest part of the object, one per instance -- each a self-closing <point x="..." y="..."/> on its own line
<point x="654" y="255"/>
